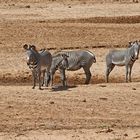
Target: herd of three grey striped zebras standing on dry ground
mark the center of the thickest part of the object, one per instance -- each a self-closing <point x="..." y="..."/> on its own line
<point x="43" y="62"/>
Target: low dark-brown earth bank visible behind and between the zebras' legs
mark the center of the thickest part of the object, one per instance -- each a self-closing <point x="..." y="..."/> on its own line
<point x="73" y="79"/>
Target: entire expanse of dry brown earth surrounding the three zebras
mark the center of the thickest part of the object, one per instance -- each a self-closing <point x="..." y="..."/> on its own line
<point x="79" y="112"/>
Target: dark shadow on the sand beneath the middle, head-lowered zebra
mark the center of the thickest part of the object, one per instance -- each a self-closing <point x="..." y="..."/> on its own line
<point x="61" y="88"/>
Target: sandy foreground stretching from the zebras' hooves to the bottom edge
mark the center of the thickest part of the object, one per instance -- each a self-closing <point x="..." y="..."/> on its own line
<point x="101" y="111"/>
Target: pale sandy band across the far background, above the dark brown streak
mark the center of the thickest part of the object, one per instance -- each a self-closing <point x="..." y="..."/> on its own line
<point x="53" y="11"/>
